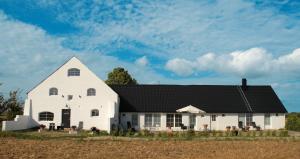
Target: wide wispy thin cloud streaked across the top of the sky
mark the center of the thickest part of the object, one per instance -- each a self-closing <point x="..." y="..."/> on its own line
<point x="177" y="28"/>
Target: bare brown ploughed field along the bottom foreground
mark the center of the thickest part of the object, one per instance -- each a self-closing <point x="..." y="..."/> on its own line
<point x="28" y="148"/>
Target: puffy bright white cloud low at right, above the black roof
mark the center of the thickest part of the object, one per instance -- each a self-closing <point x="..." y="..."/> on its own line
<point x="255" y="62"/>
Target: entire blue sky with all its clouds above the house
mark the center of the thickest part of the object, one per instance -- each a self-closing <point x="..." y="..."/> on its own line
<point x="167" y="42"/>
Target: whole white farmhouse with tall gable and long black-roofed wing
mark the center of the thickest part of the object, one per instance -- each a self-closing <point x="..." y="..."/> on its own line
<point x="74" y="96"/>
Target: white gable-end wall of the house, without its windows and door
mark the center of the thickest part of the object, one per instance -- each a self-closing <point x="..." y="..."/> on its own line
<point x="106" y="100"/>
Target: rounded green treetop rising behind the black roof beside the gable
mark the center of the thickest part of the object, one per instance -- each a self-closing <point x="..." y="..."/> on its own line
<point x="120" y="76"/>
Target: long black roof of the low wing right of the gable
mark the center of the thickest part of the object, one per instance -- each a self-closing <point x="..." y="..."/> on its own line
<point x="209" y="98"/>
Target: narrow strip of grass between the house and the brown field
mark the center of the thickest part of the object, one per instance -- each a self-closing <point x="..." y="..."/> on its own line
<point x="146" y="135"/>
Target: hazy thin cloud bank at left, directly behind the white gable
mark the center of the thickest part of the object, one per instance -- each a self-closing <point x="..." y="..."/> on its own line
<point x="28" y="54"/>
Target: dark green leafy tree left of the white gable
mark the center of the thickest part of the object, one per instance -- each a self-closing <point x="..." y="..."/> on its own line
<point x="13" y="105"/>
